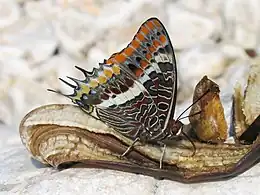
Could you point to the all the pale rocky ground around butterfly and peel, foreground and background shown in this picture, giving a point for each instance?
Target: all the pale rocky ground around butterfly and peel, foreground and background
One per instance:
(43, 40)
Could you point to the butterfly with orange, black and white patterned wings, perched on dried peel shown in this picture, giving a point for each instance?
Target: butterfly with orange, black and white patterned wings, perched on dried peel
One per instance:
(134, 91)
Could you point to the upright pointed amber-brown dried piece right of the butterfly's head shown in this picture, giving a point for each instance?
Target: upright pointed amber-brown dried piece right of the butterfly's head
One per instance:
(210, 124)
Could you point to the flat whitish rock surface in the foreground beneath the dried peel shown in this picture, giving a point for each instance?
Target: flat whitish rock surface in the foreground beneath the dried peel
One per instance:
(21, 175)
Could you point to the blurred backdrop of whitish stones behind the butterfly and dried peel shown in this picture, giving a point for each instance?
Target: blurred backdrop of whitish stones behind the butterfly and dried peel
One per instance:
(43, 40)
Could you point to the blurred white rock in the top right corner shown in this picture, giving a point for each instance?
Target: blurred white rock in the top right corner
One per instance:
(242, 22)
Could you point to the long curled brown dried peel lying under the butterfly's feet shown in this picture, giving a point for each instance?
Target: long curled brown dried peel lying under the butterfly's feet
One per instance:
(61, 134)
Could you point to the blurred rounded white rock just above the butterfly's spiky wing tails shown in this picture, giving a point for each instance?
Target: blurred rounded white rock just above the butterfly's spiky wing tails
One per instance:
(77, 32)
